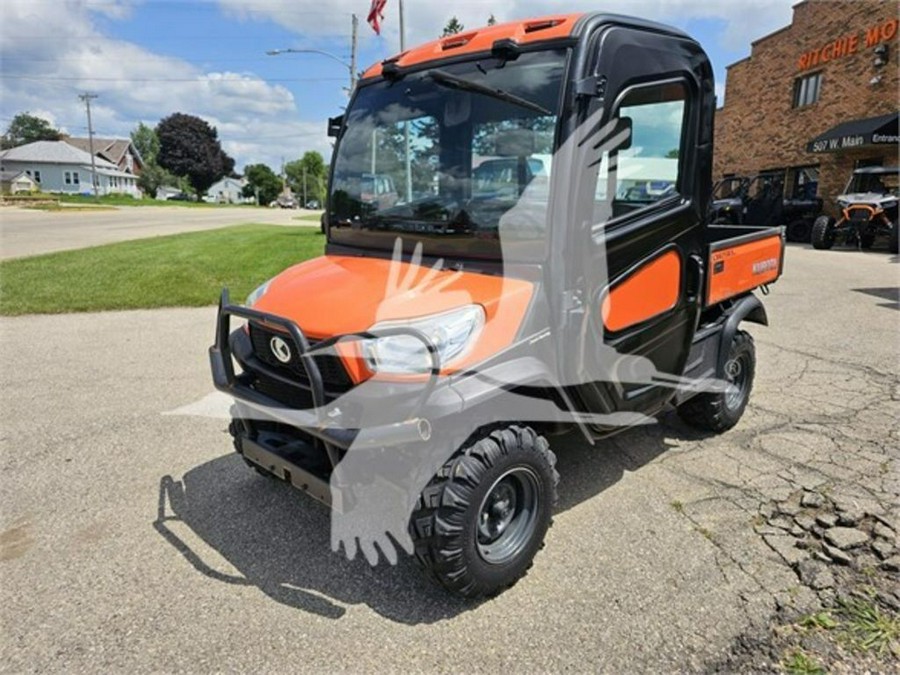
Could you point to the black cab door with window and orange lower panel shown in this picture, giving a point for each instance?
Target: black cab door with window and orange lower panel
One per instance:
(637, 264)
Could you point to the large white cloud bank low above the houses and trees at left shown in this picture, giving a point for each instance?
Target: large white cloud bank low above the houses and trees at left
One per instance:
(257, 121)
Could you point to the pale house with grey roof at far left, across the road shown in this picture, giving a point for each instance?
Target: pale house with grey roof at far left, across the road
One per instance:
(60, 167)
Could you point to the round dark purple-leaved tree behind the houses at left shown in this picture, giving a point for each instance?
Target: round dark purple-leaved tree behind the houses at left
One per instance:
(190, 147)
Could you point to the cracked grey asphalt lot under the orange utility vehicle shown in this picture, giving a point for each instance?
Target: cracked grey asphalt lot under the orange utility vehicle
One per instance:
(131, 540)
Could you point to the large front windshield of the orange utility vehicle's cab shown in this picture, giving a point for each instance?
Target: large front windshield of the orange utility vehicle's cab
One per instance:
(451, 158)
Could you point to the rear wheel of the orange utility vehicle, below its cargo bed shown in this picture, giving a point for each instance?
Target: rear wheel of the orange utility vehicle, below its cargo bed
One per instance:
(719, 411)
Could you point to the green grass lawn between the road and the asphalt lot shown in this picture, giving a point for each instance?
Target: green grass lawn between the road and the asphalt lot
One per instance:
(183, 270)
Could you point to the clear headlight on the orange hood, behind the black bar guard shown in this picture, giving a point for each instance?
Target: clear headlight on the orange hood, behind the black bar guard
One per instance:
(452, 333)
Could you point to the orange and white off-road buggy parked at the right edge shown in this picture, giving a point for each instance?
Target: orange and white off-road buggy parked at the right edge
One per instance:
(868, 210)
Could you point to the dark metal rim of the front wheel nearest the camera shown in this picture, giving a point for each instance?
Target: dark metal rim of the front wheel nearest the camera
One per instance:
(508, 516)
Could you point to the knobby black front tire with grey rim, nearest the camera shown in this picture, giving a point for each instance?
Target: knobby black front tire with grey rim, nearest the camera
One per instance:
(481, 520)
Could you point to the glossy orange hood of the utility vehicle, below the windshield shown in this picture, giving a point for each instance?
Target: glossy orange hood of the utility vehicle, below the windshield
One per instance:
(333, 295)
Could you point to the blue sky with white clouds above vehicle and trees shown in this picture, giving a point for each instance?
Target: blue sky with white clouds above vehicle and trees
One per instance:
(146, 59)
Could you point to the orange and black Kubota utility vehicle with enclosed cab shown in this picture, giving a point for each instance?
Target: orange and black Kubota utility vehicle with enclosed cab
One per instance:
(448, 330)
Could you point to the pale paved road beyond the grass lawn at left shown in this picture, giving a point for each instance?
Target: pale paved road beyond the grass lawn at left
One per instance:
(26, 232)
